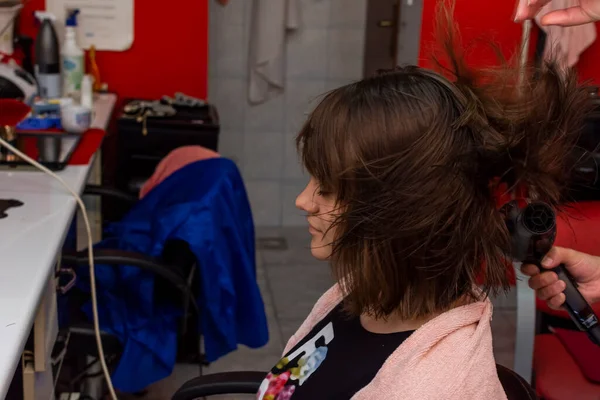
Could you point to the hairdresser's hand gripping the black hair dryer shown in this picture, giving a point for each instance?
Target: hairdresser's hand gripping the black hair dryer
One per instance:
(583, 267)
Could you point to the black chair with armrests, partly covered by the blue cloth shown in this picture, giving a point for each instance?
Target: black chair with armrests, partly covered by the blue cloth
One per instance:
(176, 281)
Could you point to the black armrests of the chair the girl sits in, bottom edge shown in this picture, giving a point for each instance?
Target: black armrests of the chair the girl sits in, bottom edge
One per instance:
(249, 382)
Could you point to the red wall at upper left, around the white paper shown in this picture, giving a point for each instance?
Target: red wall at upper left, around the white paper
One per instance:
(169, 52)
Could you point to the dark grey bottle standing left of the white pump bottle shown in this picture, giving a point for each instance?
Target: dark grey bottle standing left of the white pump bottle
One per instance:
(47, 57)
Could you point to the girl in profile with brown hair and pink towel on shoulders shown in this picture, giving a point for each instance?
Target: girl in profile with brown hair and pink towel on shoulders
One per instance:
(404, 171)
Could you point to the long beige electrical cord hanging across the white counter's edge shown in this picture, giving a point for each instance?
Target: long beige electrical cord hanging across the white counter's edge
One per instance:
(90, 246)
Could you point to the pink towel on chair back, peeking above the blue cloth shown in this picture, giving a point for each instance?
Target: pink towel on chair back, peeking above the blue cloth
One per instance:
(175, 160)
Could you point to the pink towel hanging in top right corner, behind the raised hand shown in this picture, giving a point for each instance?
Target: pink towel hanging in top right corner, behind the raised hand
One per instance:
(566, 44)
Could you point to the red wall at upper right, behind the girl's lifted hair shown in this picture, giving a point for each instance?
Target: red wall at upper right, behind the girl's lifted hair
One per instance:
(494, 20)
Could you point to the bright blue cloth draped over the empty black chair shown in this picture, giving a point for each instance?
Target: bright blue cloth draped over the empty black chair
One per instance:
(204, 204)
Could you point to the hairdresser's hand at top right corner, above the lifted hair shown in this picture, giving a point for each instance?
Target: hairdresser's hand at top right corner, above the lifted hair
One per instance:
(587, 11)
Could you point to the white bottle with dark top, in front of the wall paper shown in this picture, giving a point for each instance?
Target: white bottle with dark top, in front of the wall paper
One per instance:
(72, 58)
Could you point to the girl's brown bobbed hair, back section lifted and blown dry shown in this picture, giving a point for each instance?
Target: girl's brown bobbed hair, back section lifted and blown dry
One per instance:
(414, 160)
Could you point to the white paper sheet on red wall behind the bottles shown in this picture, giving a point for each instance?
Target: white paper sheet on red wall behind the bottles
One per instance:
(106, 24)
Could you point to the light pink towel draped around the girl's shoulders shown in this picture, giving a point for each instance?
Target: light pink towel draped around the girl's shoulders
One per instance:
(448, 358)
